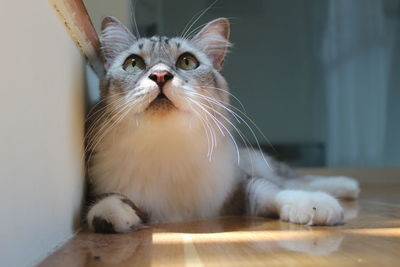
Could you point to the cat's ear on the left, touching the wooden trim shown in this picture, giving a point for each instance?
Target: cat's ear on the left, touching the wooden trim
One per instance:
(115, 38)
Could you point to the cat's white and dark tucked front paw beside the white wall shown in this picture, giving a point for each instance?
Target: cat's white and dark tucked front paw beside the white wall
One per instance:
(114, 213)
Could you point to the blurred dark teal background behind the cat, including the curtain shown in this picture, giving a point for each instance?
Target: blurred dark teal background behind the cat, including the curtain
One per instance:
(319, 78)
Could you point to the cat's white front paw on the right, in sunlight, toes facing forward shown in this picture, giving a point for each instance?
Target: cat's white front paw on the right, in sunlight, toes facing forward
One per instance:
(311, 208)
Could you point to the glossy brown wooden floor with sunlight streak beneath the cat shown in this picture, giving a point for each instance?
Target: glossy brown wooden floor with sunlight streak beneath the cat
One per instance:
(370, 237)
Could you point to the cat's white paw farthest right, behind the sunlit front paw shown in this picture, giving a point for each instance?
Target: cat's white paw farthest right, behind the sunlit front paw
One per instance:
(341, 186)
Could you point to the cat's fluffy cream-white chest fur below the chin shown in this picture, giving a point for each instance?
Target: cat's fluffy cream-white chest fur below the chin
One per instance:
(163, 167)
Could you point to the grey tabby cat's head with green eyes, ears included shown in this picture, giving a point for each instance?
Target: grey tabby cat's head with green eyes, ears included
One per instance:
(161, 75)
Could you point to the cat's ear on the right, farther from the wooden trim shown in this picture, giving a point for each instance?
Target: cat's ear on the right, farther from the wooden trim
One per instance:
(214, 40)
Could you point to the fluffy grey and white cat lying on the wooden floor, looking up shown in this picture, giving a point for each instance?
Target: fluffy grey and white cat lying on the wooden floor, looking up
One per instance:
(161, 145)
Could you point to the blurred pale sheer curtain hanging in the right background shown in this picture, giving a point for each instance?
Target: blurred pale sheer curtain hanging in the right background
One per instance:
(357, 49)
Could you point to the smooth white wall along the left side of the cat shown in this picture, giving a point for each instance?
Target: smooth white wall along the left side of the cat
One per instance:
(41, 134)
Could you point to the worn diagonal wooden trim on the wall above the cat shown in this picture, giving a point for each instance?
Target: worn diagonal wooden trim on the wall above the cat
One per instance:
(80, 27)
